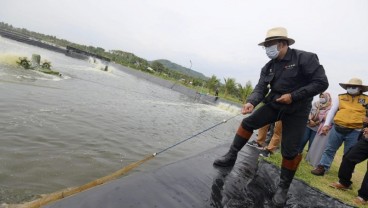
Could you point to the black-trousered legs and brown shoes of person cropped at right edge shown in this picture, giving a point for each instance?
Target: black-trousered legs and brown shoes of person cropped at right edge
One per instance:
(357, 154)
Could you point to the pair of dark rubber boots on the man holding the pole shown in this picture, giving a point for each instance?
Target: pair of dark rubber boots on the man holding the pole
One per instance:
(286, 177)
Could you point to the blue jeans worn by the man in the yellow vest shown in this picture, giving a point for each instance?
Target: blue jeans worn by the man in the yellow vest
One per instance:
(335, 140)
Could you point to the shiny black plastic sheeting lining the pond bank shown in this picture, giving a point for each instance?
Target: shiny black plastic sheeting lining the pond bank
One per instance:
(195, 182)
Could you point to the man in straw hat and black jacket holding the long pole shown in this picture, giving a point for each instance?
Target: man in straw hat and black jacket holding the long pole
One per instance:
(294, 77)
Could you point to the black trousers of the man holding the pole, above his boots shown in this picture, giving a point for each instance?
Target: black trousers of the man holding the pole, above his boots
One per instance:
(294, 120)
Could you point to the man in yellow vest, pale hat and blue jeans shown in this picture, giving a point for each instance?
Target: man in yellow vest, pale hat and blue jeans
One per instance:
(347, 113)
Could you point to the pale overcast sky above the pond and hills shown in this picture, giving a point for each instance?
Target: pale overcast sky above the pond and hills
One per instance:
(219, 37)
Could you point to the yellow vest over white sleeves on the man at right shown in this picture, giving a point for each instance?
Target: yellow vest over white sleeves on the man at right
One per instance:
(351, 111)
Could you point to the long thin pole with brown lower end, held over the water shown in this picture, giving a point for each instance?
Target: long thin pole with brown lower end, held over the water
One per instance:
(48, 198)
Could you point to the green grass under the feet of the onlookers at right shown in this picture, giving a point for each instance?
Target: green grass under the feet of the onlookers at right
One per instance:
(322, 182)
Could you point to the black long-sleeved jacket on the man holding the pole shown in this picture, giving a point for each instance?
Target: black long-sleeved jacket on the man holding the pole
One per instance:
(298, 73)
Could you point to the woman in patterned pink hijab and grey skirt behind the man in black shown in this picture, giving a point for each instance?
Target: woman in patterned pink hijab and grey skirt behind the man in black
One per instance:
(318, 144)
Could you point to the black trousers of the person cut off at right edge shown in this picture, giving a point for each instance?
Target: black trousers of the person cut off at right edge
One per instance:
(357, 154)
